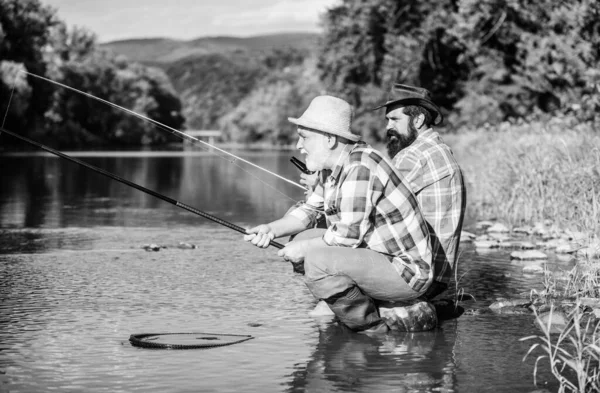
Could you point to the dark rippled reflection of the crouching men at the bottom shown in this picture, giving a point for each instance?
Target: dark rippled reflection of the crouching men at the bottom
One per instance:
(400, 362)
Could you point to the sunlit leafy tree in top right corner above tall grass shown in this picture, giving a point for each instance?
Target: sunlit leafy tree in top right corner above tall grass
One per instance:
(529, 56)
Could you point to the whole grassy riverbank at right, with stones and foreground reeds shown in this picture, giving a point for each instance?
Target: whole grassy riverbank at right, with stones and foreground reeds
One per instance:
(544, 177)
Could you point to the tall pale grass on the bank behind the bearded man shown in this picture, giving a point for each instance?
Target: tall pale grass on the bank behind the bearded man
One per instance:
(531, 172)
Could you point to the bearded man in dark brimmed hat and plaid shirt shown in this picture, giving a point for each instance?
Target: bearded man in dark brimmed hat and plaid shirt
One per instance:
(431, 171)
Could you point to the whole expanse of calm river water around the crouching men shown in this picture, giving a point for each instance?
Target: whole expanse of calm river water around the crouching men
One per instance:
(76, 283)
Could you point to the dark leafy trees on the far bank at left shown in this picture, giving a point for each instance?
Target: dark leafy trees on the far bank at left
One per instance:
(33, 40)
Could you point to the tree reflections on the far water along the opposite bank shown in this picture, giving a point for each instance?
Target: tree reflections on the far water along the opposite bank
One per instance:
(45, 191)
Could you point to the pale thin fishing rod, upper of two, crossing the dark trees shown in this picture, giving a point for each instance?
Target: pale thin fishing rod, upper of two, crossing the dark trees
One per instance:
(165, 127)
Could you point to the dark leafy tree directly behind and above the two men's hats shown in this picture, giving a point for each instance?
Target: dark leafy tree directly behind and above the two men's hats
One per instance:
(370, 44)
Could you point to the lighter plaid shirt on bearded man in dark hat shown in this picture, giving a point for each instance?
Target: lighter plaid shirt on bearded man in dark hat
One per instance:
(430, 168)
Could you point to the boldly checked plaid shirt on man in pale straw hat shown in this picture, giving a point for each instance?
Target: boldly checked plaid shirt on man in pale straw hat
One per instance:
(367, 205)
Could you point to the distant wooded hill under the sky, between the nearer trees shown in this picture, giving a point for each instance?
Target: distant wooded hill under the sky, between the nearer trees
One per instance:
(213, 75)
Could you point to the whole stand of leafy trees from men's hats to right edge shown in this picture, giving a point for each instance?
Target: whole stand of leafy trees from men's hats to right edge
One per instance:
(485, 61)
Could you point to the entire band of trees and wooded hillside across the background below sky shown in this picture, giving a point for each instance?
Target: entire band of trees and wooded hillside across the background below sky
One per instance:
(485, 61)
